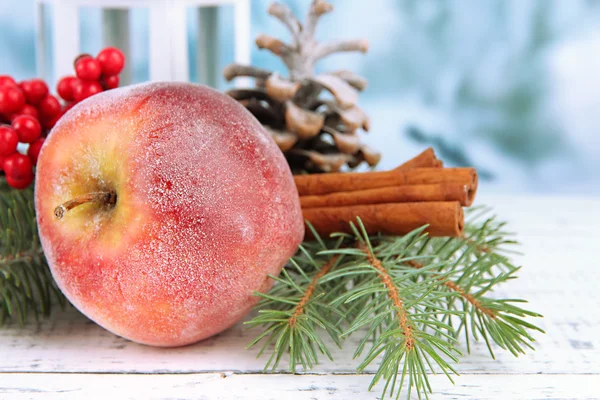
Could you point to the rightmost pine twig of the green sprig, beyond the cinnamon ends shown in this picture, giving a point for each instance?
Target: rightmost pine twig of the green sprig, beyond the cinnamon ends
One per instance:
(476, 267)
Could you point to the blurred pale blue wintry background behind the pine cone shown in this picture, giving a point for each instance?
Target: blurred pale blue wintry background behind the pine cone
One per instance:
(509, 86)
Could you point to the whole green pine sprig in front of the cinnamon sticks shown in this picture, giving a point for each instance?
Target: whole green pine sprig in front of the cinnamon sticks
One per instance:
(410, 299)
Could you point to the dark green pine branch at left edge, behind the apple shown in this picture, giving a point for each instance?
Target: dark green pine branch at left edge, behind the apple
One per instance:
(26, 285)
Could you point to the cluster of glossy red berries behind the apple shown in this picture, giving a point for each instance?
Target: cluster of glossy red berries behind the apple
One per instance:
(28, 111)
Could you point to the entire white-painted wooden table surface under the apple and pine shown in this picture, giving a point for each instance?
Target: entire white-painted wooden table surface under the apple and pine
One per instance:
(69, 357)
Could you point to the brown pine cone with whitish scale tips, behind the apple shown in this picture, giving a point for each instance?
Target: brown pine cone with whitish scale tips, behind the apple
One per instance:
(314, 119)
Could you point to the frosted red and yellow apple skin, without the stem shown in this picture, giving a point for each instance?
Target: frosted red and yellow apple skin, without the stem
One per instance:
(206, 209)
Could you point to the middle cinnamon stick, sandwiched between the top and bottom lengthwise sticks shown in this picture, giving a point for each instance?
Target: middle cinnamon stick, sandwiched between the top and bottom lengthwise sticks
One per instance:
(392, 194)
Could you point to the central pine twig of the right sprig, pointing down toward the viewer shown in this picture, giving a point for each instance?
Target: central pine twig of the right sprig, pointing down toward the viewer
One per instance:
(394, 315)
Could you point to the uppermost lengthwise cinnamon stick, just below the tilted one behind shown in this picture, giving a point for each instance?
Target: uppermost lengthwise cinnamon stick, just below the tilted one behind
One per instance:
(316, 184)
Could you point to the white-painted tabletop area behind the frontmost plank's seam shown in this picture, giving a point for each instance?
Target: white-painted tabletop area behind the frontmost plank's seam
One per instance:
(559, 278)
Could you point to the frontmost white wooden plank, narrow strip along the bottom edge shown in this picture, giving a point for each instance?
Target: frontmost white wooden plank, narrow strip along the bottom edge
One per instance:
(265, 387)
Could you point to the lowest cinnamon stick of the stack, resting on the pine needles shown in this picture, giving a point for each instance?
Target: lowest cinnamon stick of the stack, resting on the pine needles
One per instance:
(445, 218)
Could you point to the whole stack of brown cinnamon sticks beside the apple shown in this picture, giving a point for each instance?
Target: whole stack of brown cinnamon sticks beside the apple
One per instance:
(419, 192)
